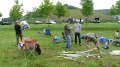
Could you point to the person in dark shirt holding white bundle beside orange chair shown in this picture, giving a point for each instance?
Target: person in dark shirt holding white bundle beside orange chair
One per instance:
(18, 31)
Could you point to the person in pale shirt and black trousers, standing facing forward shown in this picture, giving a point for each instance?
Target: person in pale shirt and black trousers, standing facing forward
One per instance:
(77, 29)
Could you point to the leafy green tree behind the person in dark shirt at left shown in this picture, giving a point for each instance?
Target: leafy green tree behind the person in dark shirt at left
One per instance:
(16, 11)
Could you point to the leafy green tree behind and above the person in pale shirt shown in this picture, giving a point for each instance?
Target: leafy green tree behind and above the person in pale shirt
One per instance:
(87, 8)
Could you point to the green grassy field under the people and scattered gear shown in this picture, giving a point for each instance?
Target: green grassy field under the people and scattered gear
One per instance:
(10, 56)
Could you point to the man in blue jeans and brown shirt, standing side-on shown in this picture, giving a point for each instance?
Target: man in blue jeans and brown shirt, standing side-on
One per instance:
(67, 31)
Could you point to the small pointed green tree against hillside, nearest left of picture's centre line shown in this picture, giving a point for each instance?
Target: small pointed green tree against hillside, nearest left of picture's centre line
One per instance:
(60, 11)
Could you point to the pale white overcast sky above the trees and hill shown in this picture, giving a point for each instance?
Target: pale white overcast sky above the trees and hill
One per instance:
(28, 5)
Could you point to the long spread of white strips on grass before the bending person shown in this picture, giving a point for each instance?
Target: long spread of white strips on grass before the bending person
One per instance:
(74, 55)
